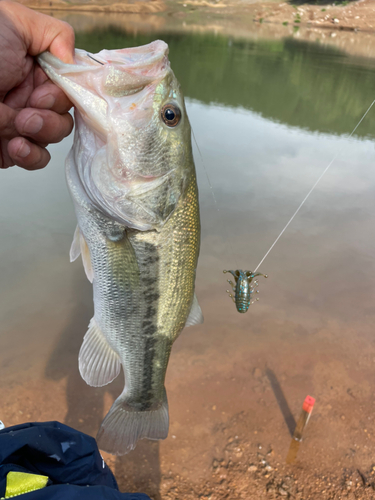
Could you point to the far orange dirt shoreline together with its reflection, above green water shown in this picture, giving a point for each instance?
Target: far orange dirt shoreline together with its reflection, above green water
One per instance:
(349, 27)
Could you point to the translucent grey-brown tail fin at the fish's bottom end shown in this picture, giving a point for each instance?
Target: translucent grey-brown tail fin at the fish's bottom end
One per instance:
(124, 425)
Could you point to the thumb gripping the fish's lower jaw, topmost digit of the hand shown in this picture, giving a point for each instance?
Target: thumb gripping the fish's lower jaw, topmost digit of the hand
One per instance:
(41, 32)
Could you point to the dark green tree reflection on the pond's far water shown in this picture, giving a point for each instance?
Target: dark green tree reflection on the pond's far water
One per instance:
(299, 84)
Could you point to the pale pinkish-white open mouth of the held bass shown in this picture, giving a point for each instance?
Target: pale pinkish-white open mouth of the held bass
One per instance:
(95, 79)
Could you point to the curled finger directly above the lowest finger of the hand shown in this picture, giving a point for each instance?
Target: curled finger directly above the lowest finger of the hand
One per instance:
(43, 126)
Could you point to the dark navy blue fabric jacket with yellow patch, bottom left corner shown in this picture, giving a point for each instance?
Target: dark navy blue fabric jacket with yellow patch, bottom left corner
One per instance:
(69, 458)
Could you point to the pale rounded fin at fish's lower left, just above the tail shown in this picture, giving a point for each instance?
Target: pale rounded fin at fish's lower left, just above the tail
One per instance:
(98, 363)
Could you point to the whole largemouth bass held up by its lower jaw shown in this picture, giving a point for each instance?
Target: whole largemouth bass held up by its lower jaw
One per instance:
(132, 178)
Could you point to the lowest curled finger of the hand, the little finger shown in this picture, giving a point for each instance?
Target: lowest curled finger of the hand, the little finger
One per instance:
(27, 155)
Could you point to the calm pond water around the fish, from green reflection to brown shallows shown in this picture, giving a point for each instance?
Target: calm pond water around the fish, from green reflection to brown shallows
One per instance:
(268, 117)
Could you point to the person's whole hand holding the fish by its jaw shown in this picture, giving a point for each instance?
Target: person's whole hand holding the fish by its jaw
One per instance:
(33, 111)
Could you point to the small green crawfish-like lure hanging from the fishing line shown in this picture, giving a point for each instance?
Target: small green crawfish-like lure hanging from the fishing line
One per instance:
(243, 288)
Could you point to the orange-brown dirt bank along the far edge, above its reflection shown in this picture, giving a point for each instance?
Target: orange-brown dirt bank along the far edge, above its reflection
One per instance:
(357, 15)
